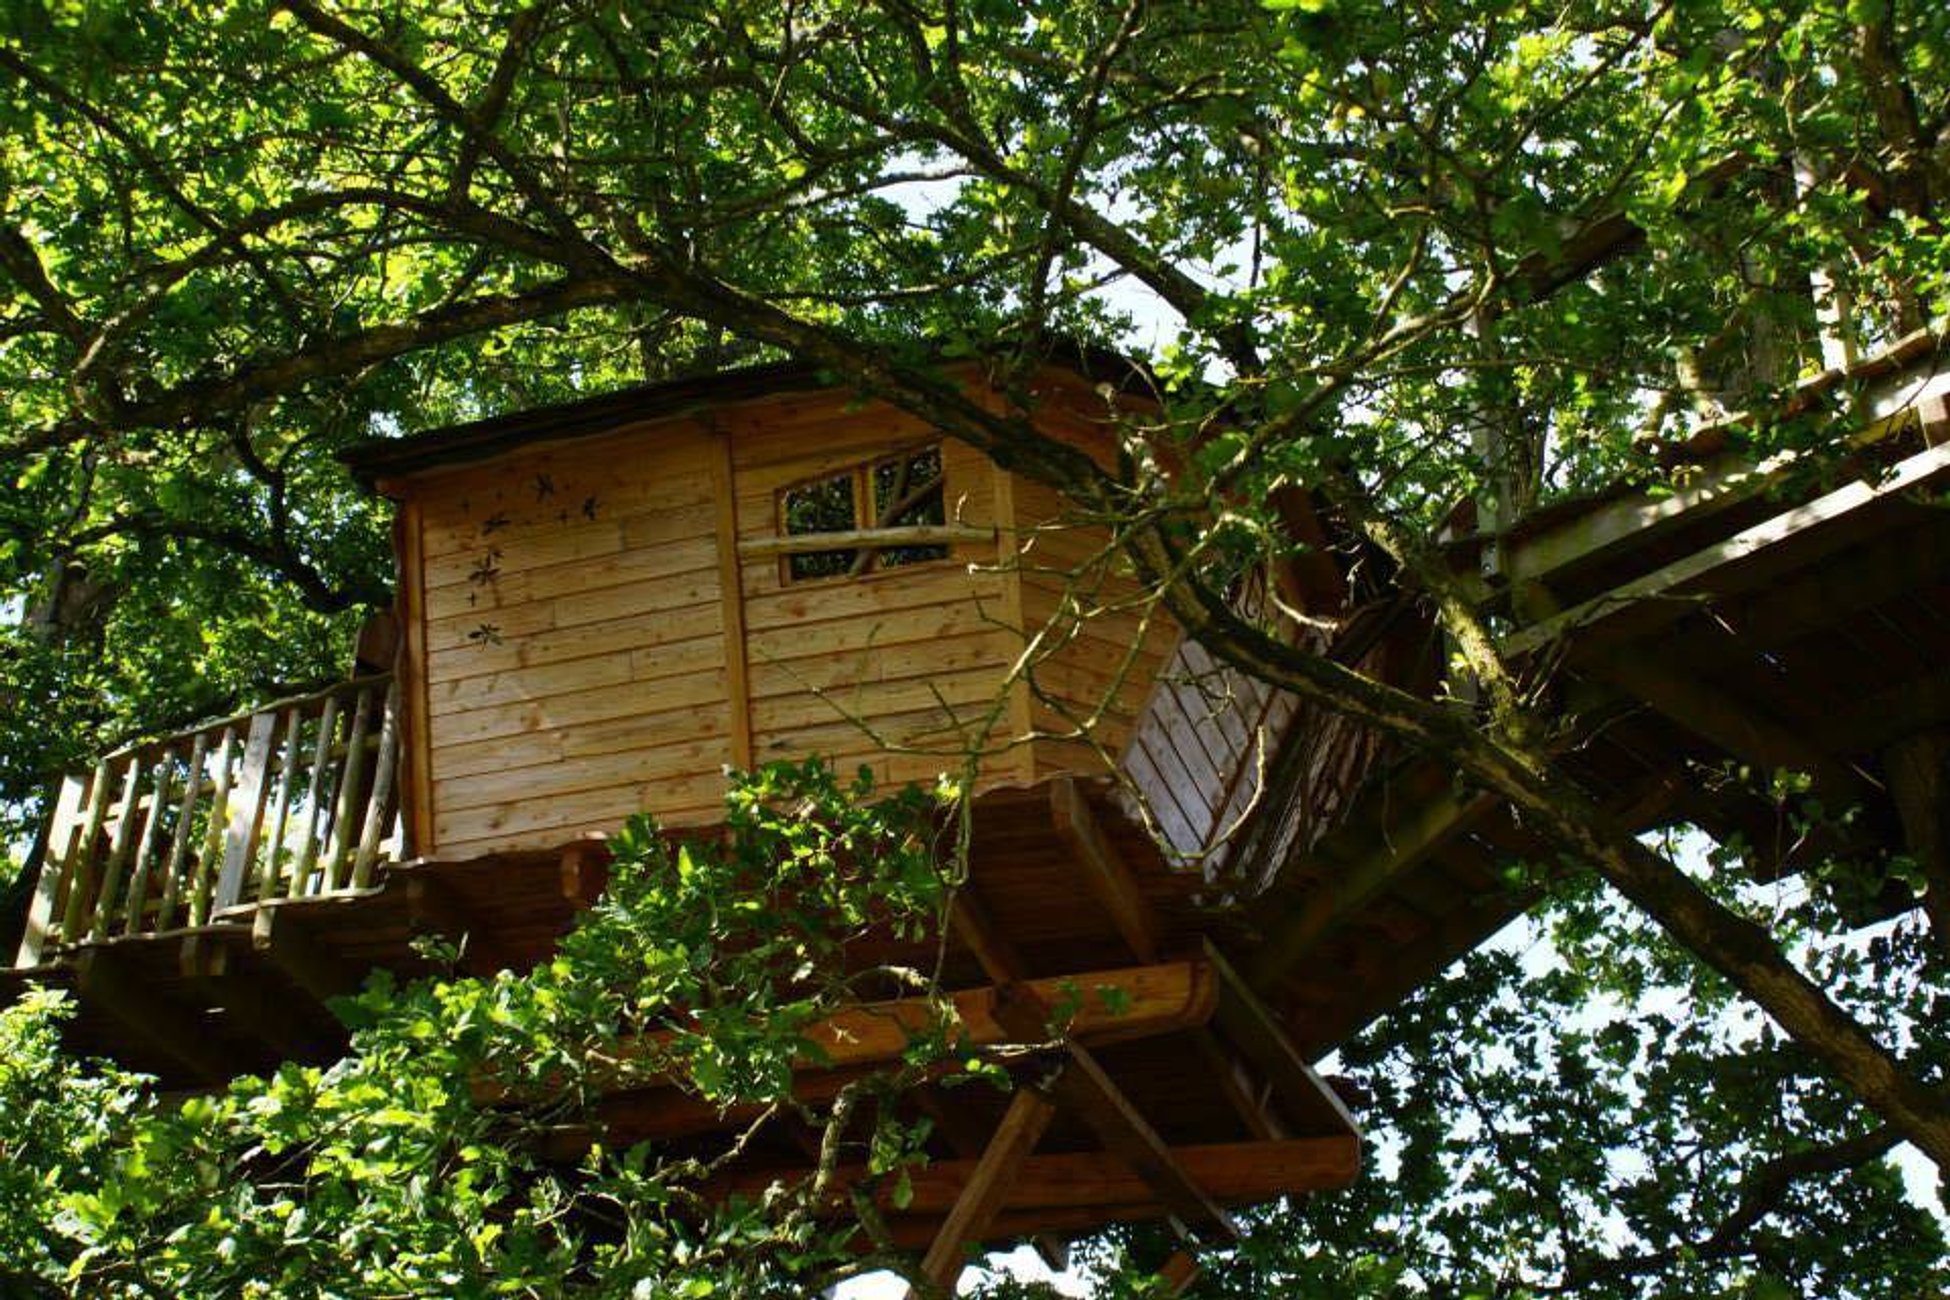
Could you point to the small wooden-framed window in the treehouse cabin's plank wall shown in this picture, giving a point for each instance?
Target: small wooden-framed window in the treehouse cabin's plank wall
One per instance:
(902, 492)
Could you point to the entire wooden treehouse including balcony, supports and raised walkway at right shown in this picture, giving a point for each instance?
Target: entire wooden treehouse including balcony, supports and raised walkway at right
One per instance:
(602, 605)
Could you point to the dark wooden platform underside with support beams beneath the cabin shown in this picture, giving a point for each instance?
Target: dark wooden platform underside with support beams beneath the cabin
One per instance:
(1179, 1098)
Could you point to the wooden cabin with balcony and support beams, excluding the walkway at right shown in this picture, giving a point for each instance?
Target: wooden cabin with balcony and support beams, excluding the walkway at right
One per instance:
(605, 605)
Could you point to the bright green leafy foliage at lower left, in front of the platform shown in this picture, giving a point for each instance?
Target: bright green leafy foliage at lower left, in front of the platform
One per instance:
(420, 1165)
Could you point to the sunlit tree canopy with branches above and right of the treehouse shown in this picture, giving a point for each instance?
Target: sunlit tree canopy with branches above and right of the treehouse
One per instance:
(1409, 260)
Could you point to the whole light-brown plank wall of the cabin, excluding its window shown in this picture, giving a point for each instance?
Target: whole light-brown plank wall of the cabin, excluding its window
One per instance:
(592, 650)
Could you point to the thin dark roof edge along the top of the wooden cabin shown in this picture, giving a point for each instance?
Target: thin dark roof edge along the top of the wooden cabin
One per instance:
(393, 457)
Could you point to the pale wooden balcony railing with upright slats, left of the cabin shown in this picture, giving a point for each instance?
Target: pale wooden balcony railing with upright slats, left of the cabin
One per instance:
(295, 800)
